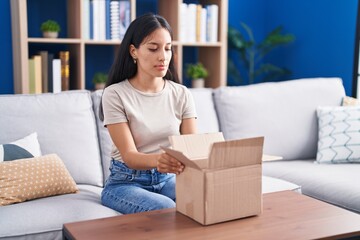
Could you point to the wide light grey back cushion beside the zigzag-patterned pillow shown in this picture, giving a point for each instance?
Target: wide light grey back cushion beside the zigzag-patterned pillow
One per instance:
(283, 112)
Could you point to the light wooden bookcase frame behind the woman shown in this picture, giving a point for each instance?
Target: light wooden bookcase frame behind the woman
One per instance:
(82, 50)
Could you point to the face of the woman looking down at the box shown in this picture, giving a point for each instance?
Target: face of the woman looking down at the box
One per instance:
(154, 54)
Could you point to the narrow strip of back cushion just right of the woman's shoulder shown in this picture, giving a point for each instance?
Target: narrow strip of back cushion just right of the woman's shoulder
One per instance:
(207, 121)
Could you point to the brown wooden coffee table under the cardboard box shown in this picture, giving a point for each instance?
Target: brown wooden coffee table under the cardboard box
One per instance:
(286, 215)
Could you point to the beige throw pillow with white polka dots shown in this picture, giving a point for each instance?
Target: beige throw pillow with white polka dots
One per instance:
(31, 178)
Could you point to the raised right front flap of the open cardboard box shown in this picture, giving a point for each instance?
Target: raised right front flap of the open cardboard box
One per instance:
(236, 153)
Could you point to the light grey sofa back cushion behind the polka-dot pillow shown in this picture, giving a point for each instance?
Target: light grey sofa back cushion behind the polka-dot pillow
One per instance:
(65, 125)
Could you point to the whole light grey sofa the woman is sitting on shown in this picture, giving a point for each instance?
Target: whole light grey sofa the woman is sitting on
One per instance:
(67, 124)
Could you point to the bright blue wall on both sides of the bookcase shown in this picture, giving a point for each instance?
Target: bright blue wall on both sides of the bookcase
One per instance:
(324, 31)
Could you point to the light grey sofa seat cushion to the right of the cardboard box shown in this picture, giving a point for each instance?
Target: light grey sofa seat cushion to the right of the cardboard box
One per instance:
(337, 184)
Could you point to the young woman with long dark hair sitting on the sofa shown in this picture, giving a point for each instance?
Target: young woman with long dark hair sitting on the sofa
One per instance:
(142, 105)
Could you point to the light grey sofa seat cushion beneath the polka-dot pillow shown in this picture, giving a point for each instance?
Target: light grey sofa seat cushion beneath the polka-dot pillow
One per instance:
(44, 218)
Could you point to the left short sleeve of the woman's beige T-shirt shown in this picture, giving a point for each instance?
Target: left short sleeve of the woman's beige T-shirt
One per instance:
(113, 107)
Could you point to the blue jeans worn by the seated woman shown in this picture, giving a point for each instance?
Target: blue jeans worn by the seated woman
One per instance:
(130, 191)
